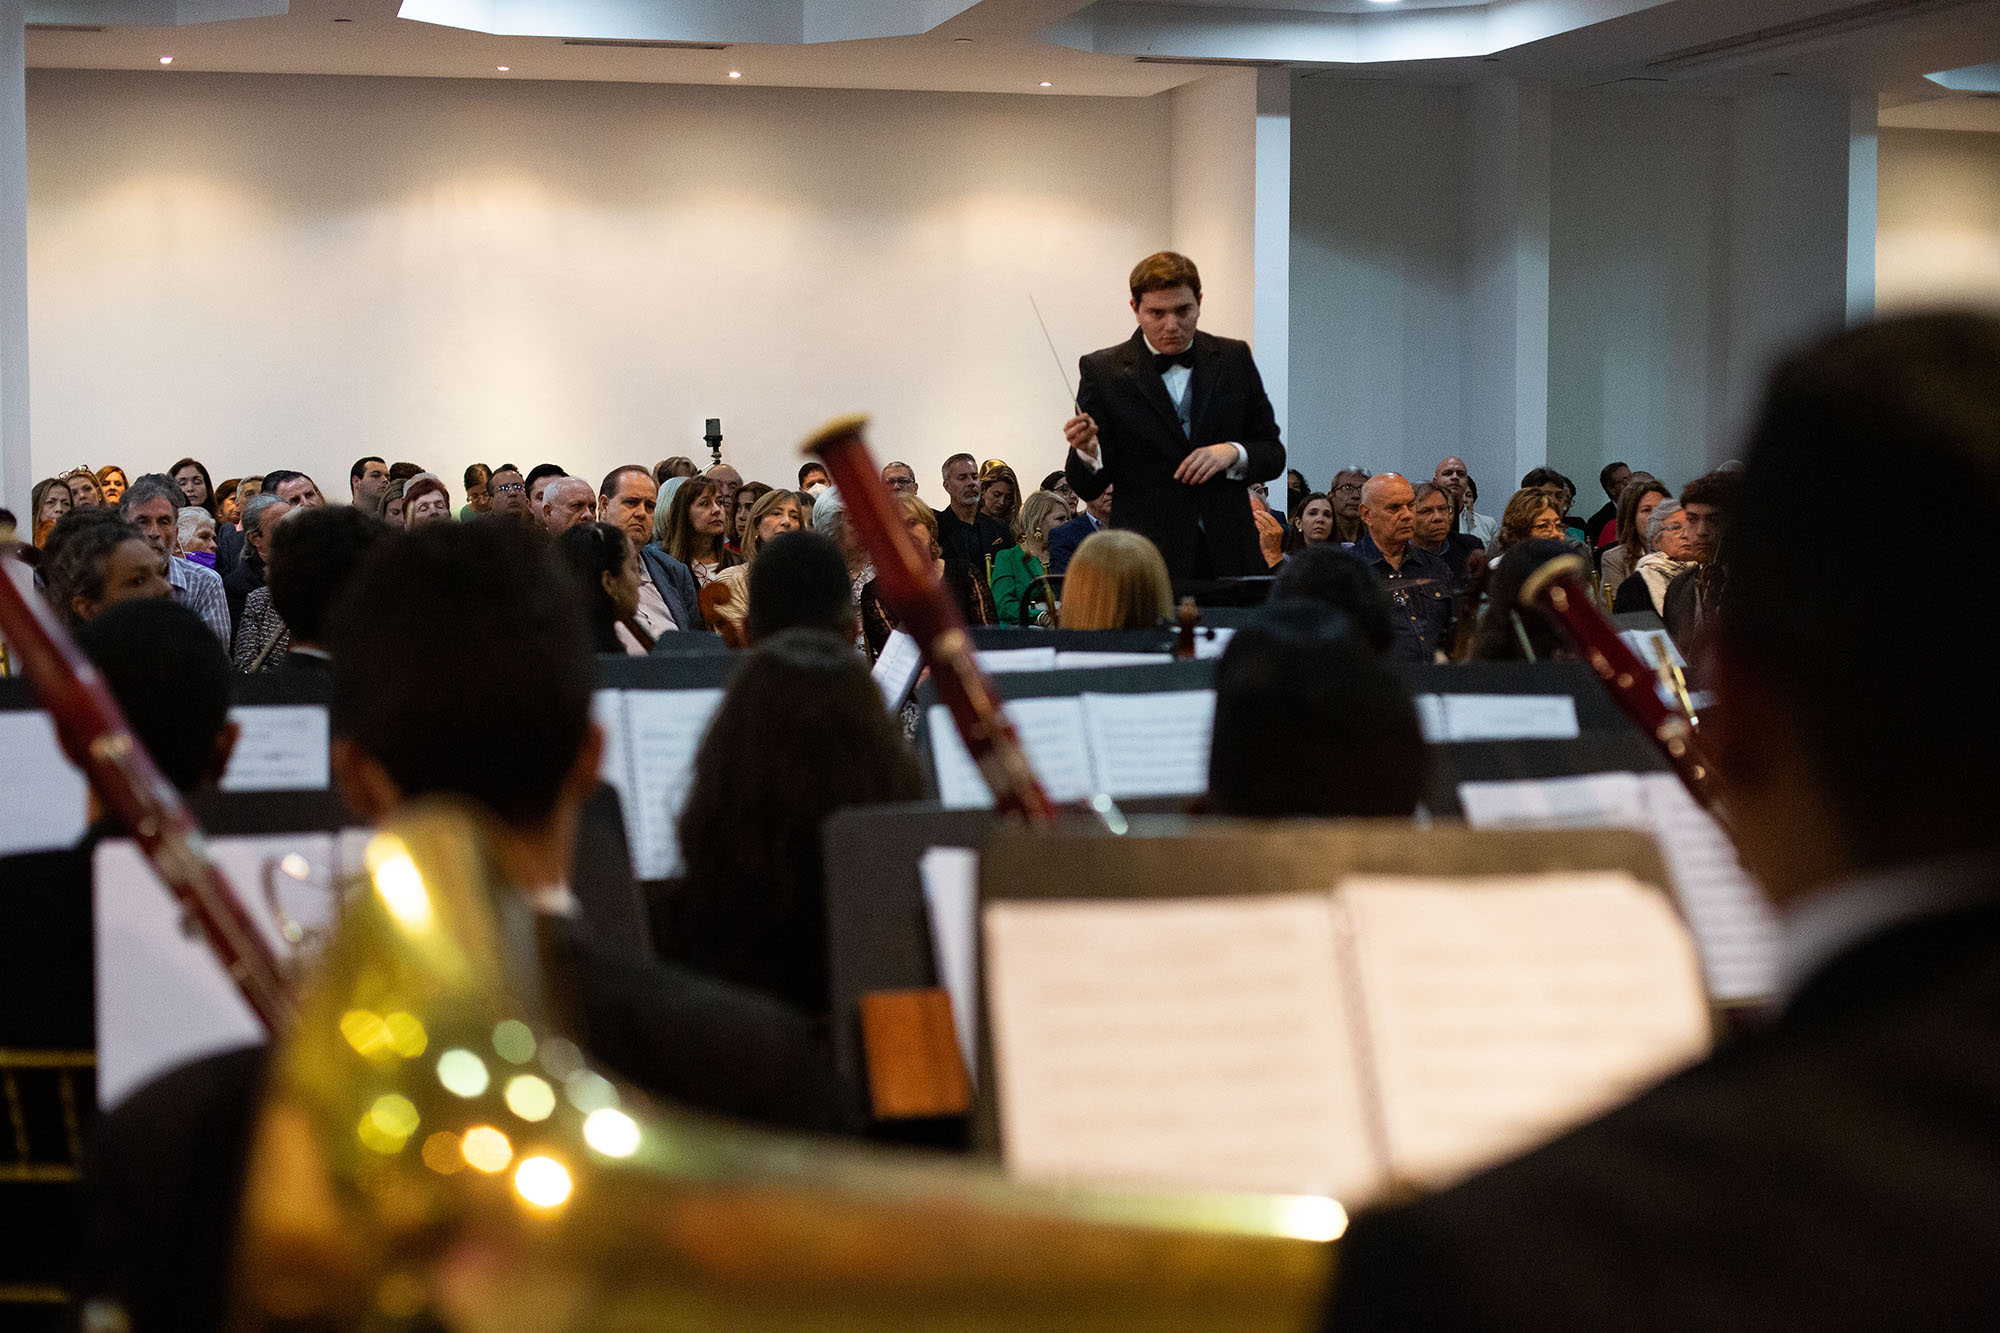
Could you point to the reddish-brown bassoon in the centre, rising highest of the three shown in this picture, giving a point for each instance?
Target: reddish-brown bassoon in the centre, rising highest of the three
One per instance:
(927, 613)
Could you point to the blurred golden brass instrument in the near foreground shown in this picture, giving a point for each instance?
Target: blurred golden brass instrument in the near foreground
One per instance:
(435, 1154)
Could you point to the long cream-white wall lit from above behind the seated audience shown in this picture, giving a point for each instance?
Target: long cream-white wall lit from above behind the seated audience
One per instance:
(293, 271)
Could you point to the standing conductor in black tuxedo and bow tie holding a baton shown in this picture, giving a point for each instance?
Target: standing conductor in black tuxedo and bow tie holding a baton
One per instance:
(1179, 421)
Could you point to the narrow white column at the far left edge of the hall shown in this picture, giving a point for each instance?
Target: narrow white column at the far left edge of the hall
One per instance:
(17, 471)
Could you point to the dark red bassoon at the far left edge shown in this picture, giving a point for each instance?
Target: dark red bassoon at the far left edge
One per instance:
(99, 740)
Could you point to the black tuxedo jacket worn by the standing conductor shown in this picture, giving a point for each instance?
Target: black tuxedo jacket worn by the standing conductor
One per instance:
(1203, 531)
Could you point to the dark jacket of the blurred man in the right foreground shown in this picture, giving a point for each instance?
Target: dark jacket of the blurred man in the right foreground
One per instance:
(1839, 1170)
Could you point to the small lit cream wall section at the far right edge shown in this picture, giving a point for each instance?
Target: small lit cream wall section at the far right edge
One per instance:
(1939, 219)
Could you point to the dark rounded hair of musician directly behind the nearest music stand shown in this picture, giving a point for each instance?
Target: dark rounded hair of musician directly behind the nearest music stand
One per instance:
(1311, 722)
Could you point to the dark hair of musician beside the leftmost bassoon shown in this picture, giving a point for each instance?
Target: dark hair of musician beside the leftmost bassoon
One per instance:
(171, 680)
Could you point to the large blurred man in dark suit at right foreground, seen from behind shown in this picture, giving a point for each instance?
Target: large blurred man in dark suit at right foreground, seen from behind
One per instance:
(1839, 1168)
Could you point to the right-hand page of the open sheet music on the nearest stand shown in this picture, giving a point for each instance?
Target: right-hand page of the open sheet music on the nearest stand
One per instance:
(1505, 1010)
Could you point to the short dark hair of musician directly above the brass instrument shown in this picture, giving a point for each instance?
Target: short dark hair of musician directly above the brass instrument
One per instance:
(439, 625)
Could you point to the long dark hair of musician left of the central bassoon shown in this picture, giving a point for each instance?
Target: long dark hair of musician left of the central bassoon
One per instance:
(801, 734)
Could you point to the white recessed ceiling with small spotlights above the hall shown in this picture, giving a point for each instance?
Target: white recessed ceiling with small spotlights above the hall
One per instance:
(1045, 47)
